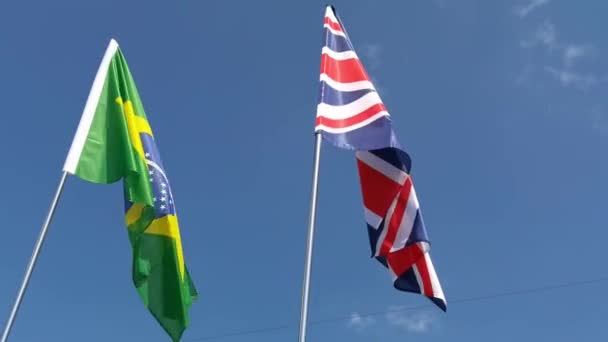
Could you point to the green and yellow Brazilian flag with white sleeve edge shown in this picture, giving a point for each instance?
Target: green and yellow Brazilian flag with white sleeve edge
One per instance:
(114, 142)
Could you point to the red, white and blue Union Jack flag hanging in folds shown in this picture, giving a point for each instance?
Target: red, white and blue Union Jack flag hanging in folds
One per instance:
(351, 115)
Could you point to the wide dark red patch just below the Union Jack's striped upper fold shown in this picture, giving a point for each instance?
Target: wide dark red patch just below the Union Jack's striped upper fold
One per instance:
(377, 189)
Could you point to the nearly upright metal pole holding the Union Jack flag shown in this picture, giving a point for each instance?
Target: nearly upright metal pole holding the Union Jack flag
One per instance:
(310, 241)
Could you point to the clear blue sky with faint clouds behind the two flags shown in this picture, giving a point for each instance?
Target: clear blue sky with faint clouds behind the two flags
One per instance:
(500, 104)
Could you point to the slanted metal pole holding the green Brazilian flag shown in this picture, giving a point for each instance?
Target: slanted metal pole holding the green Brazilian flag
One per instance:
(33, 259)
